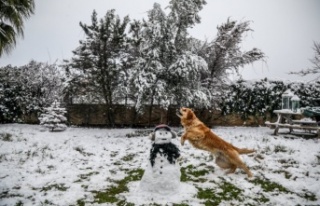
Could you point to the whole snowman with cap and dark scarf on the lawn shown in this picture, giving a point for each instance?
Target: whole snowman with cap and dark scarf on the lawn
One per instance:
(162, 174)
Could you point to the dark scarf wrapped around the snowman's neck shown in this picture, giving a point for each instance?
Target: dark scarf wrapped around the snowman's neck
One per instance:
(169, 150)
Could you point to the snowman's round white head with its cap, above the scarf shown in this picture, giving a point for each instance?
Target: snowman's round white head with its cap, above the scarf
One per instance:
(162, 134)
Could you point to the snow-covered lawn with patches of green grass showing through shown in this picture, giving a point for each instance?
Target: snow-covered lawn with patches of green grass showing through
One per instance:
(85, 166)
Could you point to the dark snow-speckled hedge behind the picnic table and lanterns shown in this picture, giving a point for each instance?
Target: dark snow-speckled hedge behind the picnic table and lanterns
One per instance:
(260, 98)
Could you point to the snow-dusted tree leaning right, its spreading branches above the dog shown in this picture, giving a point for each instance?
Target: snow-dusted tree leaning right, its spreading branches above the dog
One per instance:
(224, 55)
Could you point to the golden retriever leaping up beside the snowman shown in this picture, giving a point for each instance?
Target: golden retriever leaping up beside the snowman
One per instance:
(201, 137)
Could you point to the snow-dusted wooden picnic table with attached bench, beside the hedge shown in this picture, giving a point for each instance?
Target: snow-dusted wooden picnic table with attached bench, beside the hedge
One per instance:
(285, 120)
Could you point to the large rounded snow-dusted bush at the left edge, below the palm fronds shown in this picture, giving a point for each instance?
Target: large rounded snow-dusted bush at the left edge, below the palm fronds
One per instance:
(27, 89)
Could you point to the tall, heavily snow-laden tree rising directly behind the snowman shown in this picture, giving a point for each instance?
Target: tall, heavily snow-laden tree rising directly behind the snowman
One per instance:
(162, 51)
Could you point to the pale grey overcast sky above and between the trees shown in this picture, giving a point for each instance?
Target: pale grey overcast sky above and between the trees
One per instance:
(283, 29)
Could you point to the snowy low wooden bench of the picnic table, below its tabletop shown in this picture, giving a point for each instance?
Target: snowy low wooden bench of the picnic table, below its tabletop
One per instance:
(312, 125)
